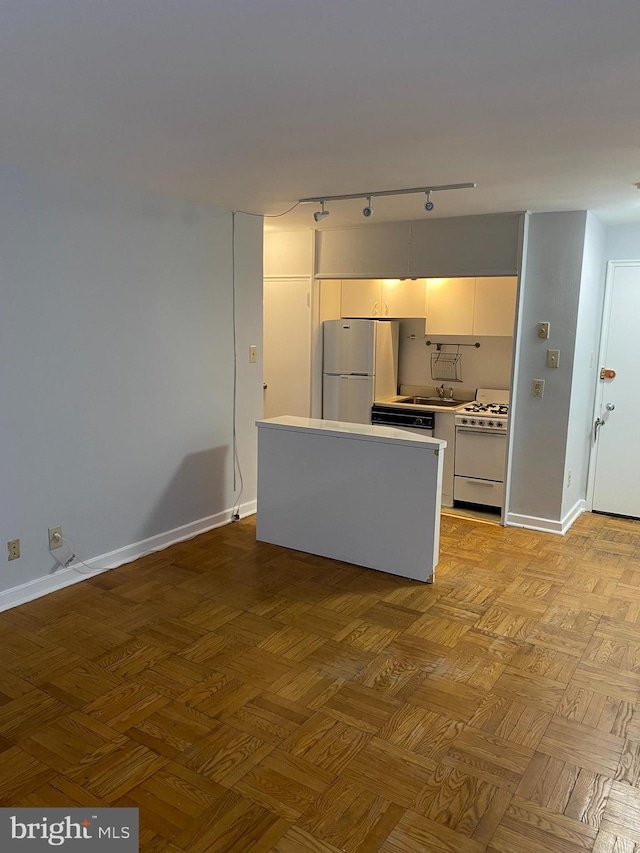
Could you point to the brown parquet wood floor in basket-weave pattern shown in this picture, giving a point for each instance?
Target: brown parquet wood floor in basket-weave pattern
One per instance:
(249, 698)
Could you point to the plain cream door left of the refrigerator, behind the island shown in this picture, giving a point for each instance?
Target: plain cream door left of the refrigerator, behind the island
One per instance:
(287, 347)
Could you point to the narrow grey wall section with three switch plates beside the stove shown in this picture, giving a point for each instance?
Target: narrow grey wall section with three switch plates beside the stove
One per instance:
(550, 288)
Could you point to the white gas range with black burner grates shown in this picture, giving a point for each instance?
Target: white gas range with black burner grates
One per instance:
(481, 445)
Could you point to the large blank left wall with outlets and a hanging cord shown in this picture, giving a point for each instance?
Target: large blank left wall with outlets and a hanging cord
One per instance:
(116, 371)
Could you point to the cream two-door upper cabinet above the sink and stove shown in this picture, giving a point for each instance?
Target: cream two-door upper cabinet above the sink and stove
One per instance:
(471, 306)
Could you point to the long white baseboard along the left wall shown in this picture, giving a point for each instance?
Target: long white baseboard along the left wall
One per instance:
(66, 577)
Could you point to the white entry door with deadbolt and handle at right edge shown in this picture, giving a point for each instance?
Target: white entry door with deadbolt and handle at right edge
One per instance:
(617, 466)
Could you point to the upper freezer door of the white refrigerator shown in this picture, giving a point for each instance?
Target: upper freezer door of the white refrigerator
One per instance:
(349, 346)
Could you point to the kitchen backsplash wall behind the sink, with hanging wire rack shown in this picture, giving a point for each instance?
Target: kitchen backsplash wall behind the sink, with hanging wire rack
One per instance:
(486, 367)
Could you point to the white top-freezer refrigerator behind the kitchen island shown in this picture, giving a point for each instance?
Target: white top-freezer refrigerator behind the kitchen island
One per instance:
(360, 365)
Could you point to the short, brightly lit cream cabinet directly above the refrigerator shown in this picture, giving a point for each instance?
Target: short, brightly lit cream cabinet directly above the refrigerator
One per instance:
(383, 298)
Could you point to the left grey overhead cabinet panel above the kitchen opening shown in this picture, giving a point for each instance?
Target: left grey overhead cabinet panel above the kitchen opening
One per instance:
(380, 251)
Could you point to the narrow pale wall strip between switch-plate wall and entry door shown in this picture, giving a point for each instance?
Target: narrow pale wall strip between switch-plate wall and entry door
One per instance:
(585, 366)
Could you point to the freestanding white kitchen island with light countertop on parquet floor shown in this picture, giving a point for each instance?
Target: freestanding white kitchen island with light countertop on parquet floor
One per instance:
(363, 494)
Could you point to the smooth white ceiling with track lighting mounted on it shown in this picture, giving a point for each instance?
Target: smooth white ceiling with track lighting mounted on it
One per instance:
(252, 104)
